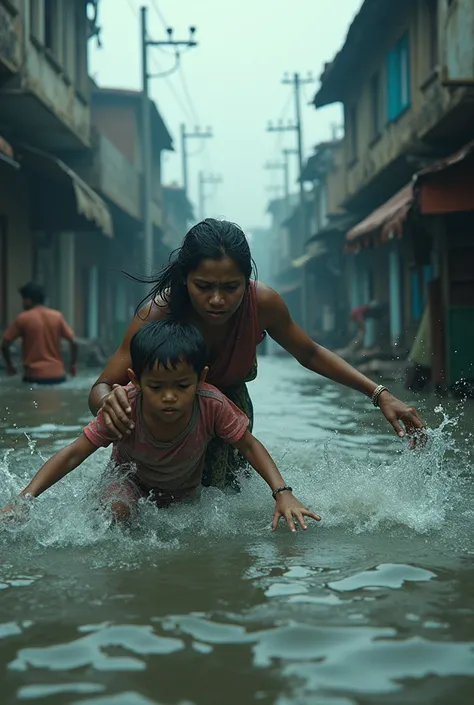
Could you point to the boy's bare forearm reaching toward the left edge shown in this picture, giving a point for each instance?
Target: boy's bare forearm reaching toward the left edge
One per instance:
(59, 465)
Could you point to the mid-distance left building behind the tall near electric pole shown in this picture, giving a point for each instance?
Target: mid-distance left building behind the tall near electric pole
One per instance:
(106, 296)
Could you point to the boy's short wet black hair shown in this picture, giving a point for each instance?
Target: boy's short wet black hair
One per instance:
(167, 343)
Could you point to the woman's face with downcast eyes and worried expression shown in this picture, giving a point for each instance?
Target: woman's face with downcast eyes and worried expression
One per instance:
(216, 289)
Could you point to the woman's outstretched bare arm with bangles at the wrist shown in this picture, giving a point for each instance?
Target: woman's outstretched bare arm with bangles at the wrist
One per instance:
(276, 319)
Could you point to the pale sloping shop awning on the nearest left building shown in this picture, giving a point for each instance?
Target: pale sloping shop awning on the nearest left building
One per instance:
(86, 202)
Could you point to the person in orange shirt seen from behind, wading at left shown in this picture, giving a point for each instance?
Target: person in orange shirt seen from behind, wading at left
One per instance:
(41, 330)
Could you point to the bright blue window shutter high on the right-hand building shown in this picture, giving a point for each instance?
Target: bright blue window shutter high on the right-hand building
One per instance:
(398, 79)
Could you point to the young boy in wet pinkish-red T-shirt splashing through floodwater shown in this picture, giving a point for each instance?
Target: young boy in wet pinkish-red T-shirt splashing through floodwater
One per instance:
(175, 415)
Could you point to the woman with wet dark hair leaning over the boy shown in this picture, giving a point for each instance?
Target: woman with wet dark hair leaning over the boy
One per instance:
(208, 283)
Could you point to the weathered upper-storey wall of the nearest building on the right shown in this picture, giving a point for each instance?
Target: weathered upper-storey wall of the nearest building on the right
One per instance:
(430, 100)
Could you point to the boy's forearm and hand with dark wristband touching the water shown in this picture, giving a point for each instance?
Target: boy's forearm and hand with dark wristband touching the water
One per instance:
(287, 506)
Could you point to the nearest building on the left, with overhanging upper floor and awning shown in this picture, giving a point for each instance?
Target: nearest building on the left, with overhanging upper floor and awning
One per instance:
(45, 117)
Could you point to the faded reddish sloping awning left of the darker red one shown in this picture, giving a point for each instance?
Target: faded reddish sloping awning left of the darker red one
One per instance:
(386, 221)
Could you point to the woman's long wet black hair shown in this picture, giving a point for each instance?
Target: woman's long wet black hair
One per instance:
(209, 239)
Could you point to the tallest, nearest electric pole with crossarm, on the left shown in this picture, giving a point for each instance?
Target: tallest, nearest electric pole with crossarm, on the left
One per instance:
(146, 136)
